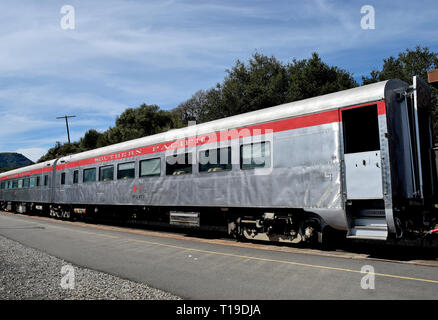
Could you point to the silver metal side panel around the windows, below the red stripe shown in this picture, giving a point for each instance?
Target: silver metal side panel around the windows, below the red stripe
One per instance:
(305, 173)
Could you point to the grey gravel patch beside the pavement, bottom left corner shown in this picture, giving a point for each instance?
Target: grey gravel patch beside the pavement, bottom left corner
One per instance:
(30, 274)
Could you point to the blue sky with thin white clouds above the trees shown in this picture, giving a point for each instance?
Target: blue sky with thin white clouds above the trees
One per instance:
(125, 53)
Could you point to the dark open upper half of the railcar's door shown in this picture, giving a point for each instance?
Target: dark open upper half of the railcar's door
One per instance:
(360, 129)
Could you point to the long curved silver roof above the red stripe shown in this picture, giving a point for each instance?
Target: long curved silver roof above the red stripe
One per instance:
(359, 95)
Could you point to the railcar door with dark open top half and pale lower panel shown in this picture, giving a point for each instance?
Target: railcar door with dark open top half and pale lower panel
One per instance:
(363, 172)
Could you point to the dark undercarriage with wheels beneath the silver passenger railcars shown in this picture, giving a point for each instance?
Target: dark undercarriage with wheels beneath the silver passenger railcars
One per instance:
(290, 227)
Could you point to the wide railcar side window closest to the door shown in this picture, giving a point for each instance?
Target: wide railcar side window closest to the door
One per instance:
(255, 155)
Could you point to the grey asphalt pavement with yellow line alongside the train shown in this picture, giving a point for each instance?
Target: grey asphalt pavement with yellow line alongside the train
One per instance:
(193, 268)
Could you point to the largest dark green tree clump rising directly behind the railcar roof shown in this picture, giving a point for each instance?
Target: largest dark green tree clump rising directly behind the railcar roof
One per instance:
(264, 82)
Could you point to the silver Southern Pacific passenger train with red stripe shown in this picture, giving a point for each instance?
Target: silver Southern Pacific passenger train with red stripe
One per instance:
(358, 160)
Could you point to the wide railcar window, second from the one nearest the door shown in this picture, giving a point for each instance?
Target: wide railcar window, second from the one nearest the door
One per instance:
(215, 160)
